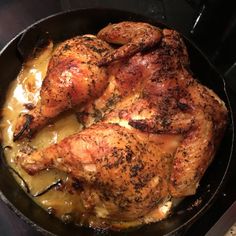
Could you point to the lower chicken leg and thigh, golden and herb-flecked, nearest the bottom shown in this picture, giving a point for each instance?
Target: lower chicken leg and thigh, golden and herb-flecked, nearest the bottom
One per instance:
(124, 171)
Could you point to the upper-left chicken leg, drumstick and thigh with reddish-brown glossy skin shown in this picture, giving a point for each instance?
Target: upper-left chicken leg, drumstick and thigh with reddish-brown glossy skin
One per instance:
(73, 79)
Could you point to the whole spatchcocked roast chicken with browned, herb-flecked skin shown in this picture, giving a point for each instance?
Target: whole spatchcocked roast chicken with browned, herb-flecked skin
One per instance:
(150, 129)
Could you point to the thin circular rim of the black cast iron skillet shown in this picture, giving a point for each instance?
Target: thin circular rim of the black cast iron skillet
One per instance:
(210, 200)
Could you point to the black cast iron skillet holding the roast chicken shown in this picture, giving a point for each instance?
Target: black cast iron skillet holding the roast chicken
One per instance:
(65, 25)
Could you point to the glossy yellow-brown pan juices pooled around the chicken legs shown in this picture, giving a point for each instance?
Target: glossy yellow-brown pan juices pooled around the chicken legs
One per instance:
(60, 201)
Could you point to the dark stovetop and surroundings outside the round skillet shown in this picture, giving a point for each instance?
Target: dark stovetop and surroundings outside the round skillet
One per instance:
(211, 24)
